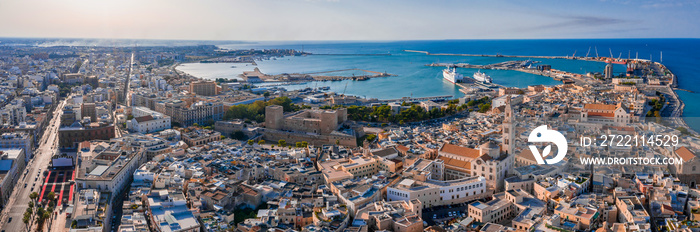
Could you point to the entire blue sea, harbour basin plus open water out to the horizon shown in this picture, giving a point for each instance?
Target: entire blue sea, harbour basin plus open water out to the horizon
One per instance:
(415, 79)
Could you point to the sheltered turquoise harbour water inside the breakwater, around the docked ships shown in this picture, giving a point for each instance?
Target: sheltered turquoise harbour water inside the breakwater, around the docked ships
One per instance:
(413, 77)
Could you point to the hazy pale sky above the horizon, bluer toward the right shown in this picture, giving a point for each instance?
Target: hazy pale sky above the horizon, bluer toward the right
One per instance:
(258, 20)
